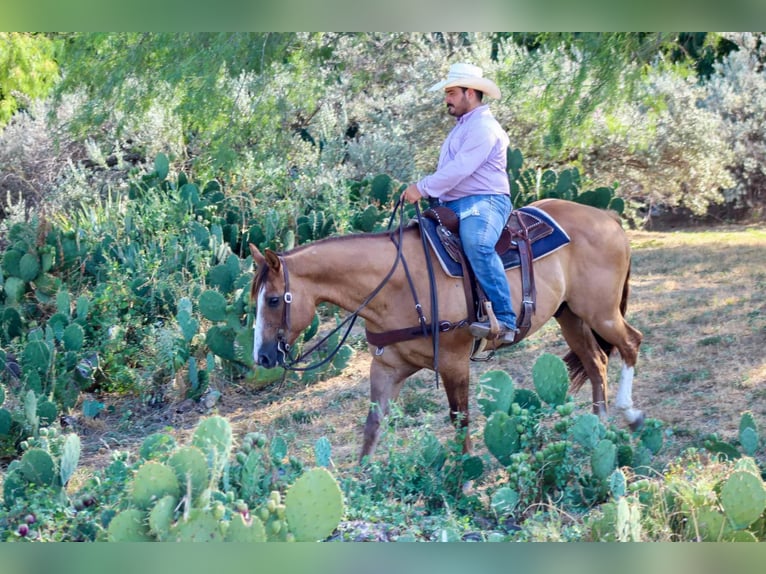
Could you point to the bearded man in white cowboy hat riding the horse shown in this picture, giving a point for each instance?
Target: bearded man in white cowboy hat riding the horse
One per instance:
(471, 179)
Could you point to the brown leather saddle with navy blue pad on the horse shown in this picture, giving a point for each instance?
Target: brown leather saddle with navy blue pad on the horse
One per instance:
(520, 243)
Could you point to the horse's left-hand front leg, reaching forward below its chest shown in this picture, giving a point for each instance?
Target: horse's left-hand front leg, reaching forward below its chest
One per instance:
(386, 380)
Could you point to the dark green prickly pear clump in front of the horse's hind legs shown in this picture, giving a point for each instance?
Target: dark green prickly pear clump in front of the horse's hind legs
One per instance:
(550, 451)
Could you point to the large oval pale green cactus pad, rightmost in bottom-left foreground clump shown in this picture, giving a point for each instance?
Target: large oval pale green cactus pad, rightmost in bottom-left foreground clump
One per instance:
(314, 506)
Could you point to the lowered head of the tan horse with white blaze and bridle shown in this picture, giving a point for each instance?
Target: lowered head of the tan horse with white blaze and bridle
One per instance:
(283, 308)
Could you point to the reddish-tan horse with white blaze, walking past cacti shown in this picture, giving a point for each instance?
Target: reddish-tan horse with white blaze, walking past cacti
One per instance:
(583, 285)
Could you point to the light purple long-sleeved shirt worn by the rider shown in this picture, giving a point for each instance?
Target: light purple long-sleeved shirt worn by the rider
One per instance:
(472, 159)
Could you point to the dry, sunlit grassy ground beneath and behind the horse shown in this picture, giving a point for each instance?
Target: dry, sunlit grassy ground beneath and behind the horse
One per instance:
(698, 297)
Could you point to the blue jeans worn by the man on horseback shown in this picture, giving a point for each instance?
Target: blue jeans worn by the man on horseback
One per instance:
(482, 218)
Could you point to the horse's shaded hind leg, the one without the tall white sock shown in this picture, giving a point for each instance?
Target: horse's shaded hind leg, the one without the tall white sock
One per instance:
(587, 360)
